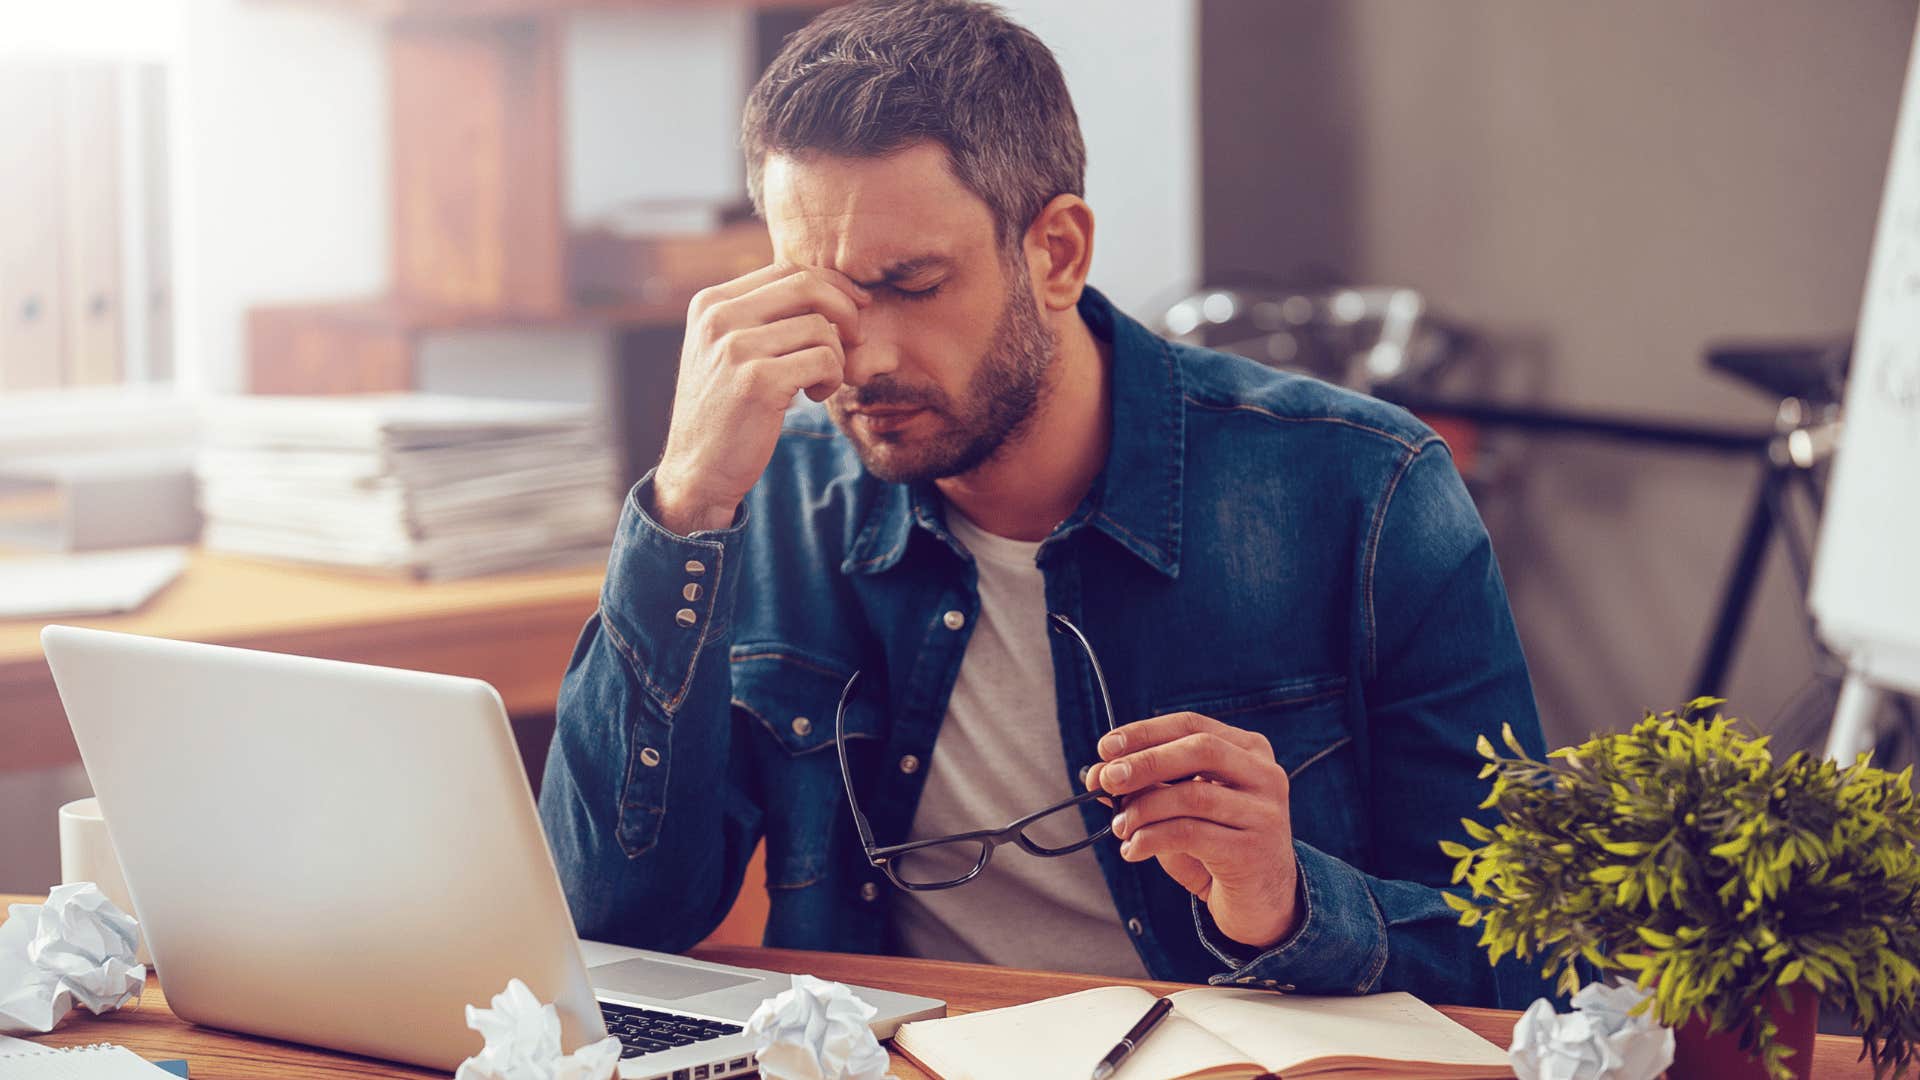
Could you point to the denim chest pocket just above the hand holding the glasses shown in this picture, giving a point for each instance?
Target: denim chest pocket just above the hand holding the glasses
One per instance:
(1305, 720)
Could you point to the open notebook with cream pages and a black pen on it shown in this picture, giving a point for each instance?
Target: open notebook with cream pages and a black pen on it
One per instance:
(1212, 1035)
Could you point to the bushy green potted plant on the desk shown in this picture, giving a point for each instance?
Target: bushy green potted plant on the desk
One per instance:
(1739, 889)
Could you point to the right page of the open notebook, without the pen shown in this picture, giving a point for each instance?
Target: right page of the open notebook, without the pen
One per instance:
(1285, 1031)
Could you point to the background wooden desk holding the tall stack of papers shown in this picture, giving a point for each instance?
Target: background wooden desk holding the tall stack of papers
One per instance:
(514, 631)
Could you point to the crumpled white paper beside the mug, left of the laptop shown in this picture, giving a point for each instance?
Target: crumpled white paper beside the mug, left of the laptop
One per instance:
(74, 950)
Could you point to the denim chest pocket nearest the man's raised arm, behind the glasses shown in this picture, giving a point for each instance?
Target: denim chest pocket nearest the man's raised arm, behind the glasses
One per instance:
(788, 704)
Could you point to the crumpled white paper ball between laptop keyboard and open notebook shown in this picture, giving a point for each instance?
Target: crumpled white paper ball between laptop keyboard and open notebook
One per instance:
(817, 1031)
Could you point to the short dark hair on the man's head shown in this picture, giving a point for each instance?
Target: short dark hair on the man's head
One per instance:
(869, 80)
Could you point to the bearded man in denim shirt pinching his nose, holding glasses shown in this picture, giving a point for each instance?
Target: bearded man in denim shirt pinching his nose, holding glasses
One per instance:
(1287, 589)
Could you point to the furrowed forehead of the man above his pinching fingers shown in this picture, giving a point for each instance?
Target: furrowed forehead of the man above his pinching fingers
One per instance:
(865, 214)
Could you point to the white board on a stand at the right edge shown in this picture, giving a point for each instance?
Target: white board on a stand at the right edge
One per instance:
(1865, 591)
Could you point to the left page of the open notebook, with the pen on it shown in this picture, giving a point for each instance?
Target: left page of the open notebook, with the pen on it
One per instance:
(1067, 1037)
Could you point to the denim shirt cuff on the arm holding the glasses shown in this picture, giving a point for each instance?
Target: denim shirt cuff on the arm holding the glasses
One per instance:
(1337, 948)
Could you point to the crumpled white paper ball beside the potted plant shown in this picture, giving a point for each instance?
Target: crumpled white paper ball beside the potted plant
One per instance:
(1598, 1041)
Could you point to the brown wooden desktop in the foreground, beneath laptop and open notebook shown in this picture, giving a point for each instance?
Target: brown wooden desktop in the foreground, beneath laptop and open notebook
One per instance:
(156, 1033)
